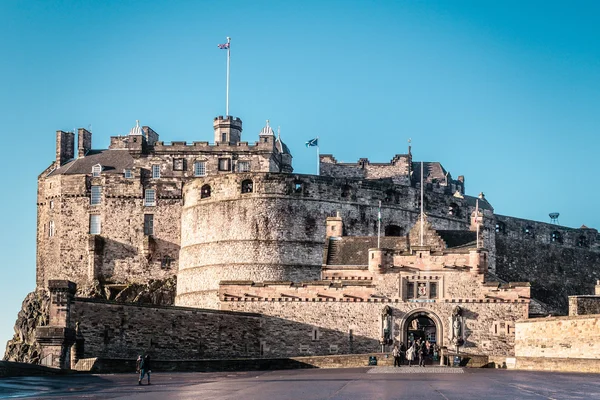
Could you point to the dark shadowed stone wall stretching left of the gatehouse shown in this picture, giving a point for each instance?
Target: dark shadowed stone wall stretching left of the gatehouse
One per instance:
(119, 330)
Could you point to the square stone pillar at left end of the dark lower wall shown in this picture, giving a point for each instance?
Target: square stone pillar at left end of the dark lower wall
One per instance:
(57, 338)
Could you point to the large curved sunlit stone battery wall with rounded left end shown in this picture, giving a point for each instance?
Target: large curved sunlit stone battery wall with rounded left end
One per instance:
(276, 231)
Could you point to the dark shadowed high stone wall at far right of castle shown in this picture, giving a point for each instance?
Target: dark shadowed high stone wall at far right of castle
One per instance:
(558, 261)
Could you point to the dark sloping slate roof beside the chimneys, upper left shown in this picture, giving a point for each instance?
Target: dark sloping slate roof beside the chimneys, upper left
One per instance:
(112, 161)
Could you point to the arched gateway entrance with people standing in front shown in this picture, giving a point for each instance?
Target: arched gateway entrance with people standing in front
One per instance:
(421, 323)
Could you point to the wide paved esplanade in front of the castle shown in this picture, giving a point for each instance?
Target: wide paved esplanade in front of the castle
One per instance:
(346, 384)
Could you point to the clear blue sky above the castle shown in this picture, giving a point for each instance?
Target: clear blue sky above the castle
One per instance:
(506, 93)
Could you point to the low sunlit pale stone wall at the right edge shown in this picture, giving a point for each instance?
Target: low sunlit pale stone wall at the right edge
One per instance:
(574, 337)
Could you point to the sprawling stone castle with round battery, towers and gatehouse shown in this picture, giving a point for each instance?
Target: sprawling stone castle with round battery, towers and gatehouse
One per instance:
(292, 263)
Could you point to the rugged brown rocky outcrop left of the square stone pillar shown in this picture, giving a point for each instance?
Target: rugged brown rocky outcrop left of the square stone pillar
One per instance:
(34, 312)
